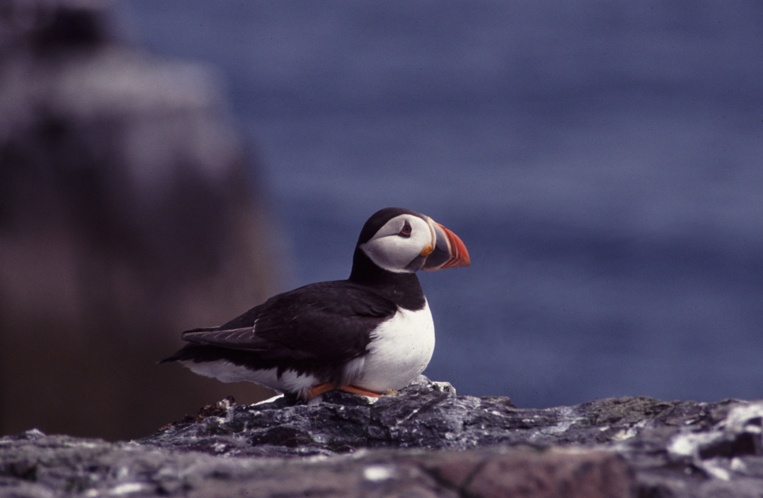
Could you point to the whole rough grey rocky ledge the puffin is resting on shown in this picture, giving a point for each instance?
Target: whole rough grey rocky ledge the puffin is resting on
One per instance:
(424, 441)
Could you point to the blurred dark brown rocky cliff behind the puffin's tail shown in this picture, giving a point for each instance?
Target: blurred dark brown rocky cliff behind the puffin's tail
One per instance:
(128, 212)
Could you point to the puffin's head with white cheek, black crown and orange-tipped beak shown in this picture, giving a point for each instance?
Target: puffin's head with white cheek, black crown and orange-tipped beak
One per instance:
(404, 241)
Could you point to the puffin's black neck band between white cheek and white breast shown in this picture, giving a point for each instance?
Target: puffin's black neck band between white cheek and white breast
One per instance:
(403, 289)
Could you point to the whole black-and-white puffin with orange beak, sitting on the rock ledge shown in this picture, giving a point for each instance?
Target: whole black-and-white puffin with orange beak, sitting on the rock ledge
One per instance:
(371, 334)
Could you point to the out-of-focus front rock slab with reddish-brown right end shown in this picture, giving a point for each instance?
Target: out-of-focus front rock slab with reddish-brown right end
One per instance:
(38, 465)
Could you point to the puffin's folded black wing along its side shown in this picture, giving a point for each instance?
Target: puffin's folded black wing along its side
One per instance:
(325, 322)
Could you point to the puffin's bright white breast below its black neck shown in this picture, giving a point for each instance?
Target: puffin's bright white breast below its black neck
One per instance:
(400, 350)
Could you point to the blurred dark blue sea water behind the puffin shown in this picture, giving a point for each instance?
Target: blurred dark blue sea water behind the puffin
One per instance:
(603, 162)
